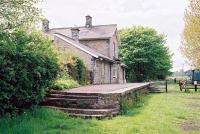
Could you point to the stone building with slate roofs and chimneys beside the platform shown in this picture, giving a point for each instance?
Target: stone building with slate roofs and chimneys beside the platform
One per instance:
(96, 45)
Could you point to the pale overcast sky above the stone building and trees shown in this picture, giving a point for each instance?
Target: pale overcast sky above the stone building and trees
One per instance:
(166, 16)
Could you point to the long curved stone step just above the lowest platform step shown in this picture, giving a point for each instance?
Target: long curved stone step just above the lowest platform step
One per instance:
(88, 111)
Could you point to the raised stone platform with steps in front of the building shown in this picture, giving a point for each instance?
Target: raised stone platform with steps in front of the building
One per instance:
(98, 101)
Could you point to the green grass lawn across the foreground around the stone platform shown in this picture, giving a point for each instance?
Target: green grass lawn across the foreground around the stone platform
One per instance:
(171, 113)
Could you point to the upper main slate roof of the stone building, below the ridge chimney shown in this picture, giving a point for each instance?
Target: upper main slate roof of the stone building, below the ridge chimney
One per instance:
(96, 32)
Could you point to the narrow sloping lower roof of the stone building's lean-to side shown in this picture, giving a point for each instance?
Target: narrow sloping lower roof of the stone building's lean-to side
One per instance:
(82, 47)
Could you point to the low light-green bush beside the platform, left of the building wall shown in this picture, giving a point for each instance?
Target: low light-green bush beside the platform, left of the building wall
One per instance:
(62, 84)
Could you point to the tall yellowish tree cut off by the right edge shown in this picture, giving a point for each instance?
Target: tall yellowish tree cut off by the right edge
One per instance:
(191, 35)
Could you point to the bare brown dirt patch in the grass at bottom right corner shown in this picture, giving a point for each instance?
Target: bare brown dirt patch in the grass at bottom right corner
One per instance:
(191, 125)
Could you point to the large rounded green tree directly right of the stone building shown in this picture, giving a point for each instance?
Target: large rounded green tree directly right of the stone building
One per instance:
(144, 53)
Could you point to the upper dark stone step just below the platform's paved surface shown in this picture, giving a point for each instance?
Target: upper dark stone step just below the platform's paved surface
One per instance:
(71, 96)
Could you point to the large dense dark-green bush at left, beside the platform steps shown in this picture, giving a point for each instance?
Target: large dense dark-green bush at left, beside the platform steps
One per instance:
(28, 64)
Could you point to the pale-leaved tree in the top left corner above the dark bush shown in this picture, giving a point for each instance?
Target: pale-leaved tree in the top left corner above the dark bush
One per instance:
(18, 13)
